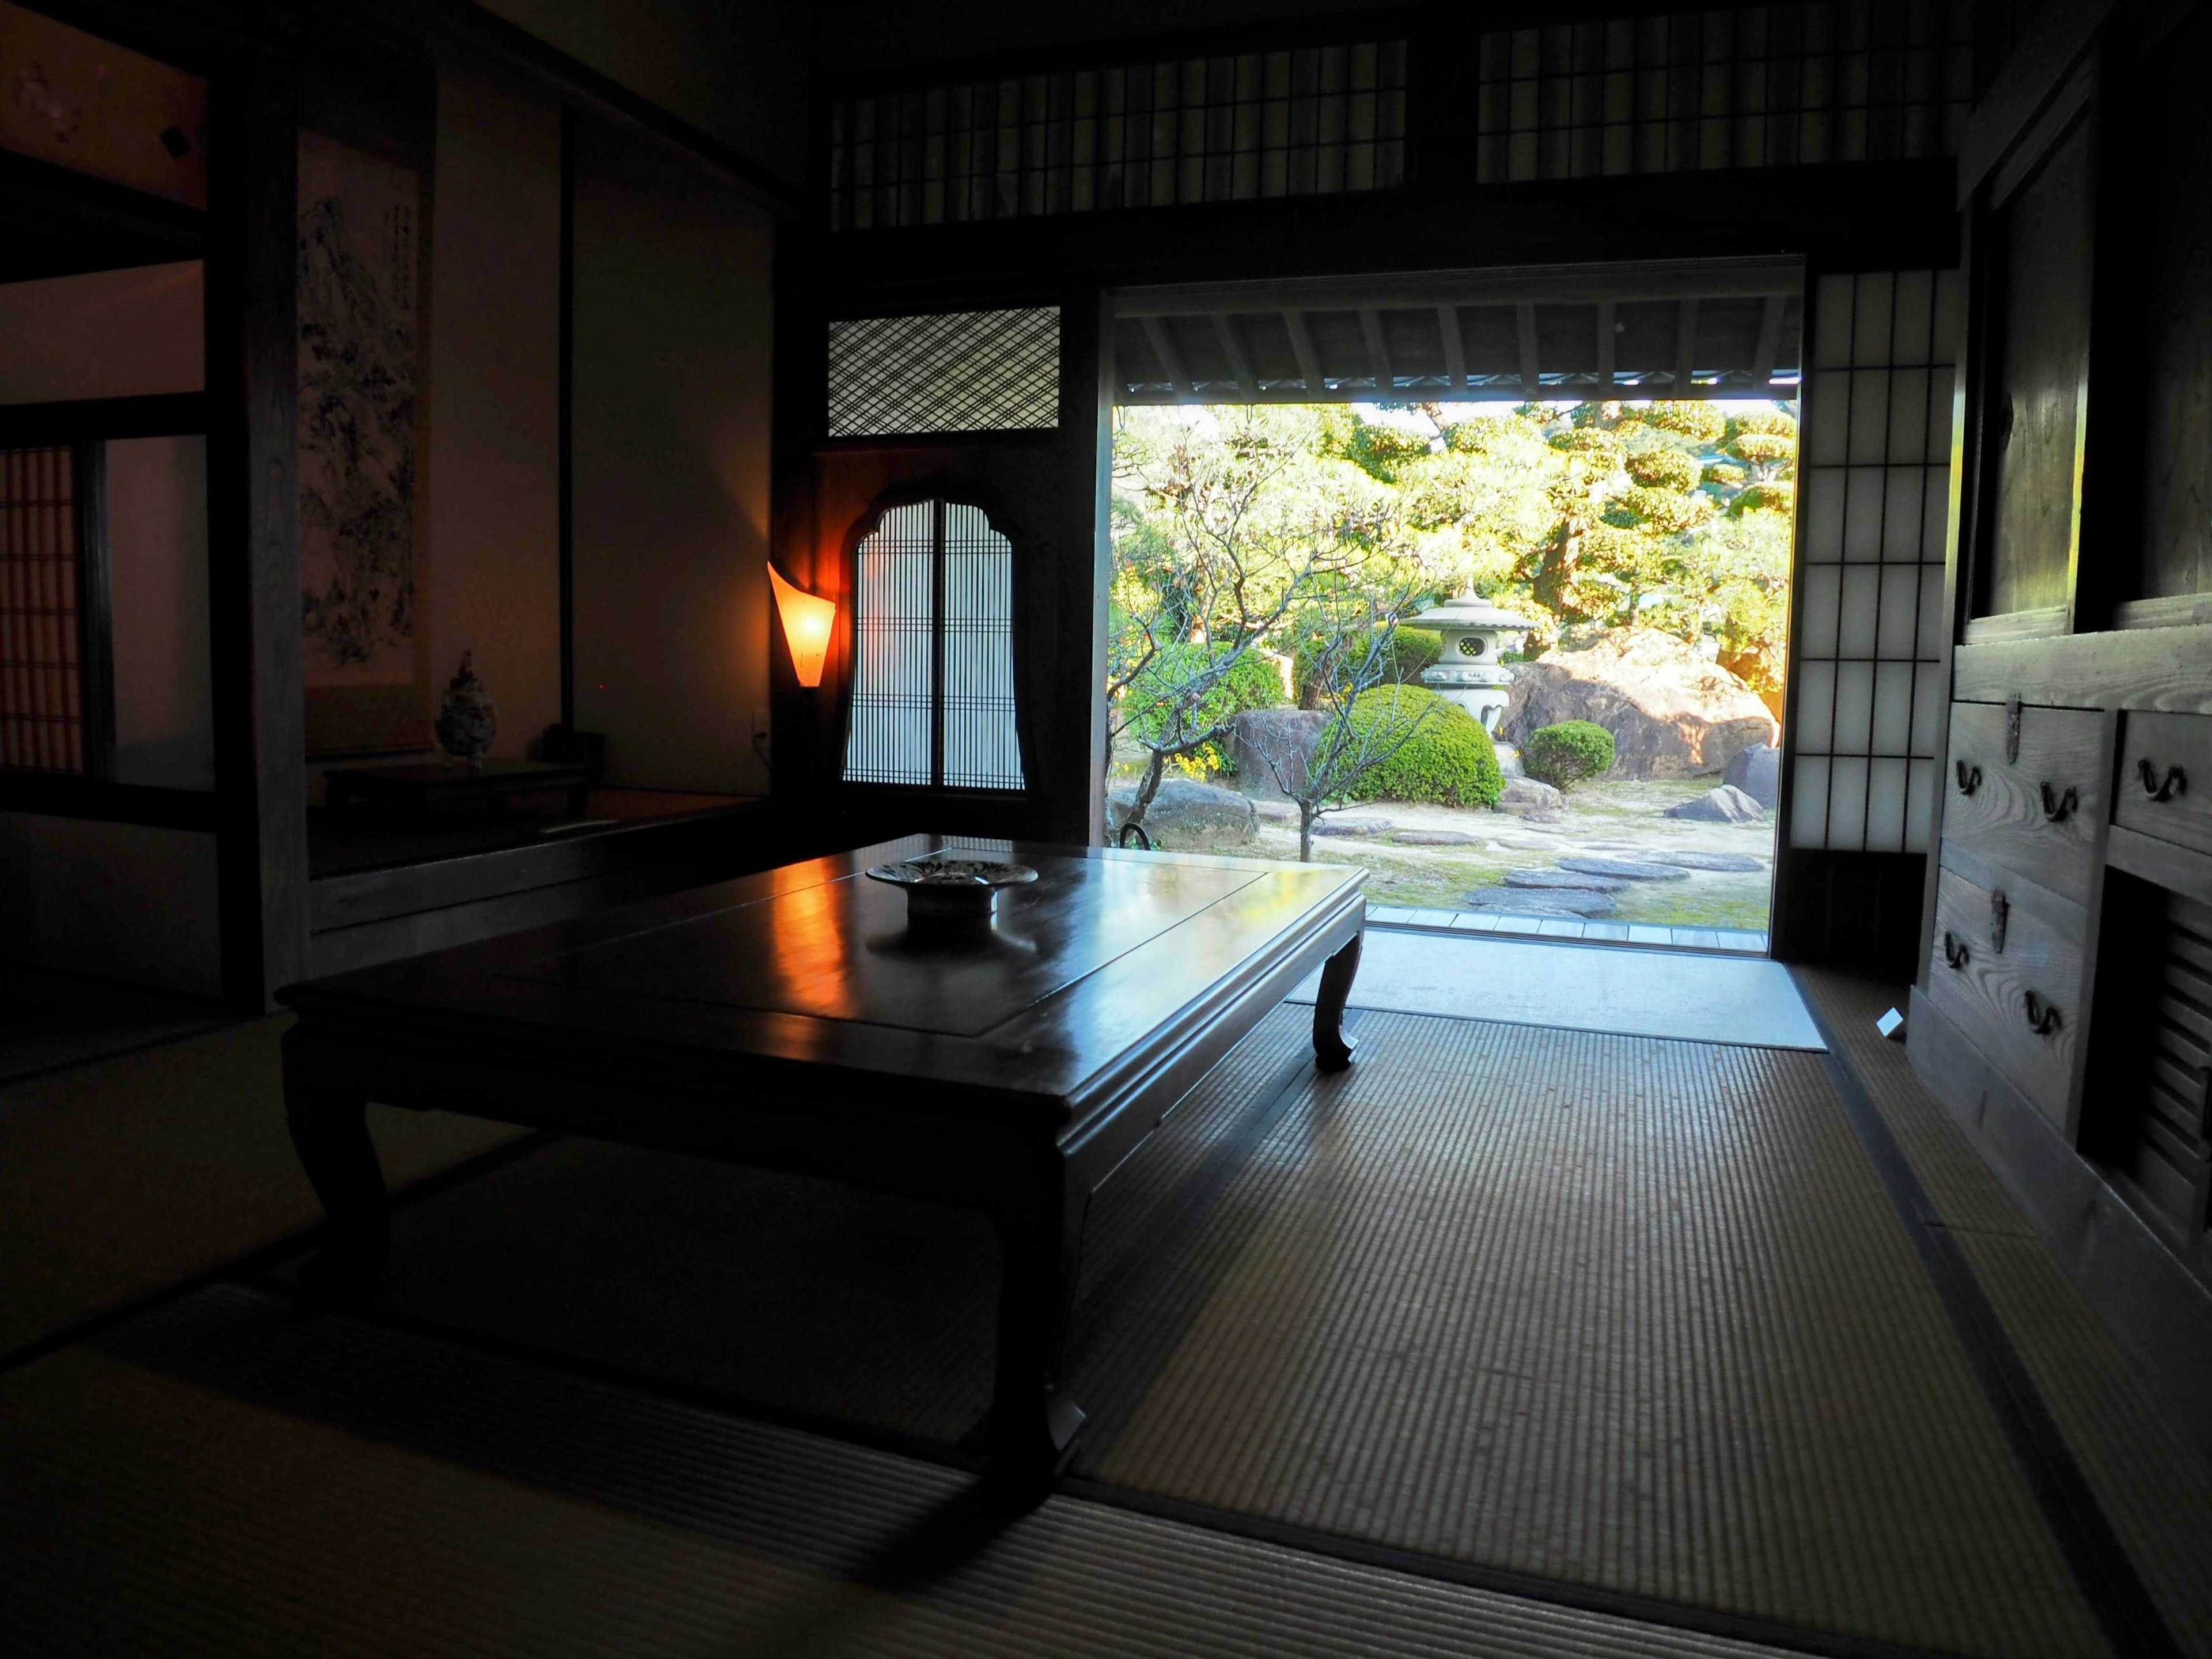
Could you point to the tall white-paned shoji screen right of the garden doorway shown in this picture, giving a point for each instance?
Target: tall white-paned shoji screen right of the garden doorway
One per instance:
(1875, 455)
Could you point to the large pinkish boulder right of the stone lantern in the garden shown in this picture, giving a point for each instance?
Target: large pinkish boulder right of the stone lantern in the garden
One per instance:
(1673, 716)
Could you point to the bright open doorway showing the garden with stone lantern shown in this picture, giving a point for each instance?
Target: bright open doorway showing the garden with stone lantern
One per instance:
(1519, 660)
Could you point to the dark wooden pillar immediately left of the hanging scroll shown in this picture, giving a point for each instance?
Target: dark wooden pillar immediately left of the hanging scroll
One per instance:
(253, 519)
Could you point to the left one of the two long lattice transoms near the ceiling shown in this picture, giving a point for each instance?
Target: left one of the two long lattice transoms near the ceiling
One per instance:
(1238, 127)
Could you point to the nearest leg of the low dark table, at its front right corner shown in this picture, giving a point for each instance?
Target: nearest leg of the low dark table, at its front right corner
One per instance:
(1039, 1238)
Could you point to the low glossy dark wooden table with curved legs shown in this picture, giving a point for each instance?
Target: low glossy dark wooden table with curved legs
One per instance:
(786, 1021)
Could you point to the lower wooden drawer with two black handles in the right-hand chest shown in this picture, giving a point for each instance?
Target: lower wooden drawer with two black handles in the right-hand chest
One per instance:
(2012, 988)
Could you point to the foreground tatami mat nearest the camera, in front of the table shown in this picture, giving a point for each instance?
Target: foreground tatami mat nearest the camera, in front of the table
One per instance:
(348, 1490)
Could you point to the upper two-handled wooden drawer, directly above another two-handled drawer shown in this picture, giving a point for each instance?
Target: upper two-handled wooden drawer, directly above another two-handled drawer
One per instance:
(2041, 811)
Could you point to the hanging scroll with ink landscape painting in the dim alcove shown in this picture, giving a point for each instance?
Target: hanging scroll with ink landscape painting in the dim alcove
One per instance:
(362, 273)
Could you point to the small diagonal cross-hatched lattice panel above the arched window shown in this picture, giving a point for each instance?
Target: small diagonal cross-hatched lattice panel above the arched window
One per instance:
(946, 373)
